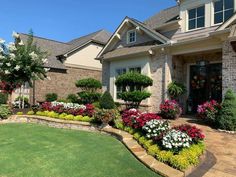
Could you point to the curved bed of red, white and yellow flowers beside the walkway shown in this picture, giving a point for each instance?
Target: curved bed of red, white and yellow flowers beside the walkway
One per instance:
(179, 147)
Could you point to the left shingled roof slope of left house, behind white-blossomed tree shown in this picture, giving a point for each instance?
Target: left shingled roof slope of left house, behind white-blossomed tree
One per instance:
(53, 48)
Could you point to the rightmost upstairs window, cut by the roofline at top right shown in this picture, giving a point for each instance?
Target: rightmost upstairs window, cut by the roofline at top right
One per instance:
(223, 10)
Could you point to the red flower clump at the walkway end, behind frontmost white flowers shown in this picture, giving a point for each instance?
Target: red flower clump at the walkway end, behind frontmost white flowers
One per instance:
(192, 131)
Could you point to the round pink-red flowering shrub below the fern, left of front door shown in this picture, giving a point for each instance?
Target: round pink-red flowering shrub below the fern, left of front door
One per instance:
(170, 109)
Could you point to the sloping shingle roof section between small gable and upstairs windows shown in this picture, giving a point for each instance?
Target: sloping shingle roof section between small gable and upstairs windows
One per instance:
(163, 17)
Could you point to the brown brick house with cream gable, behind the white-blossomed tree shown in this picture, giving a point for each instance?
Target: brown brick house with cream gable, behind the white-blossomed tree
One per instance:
(68, 62)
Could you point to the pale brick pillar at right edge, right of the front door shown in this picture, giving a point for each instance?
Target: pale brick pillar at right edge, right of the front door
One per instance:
(229, 67)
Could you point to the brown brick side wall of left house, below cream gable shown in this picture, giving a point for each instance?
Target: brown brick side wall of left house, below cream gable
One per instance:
(62, 82)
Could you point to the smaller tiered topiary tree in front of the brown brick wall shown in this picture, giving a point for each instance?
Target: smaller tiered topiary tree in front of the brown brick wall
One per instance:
(89, 90)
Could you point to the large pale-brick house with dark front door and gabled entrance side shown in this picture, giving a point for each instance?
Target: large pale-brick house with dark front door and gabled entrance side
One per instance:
(192, 43)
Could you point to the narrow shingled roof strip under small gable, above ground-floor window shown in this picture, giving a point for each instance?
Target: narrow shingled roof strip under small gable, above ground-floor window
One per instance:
(127, 51)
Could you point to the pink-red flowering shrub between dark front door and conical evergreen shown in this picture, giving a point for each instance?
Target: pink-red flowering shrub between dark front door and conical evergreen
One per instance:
(209, 110)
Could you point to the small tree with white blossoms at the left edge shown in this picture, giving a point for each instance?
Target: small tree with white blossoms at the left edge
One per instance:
(20, 63)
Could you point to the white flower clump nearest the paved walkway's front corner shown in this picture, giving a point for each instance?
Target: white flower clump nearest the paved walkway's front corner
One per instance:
(176, 140)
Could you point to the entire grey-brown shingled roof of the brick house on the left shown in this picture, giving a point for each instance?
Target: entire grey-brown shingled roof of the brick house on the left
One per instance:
(56, 48)
